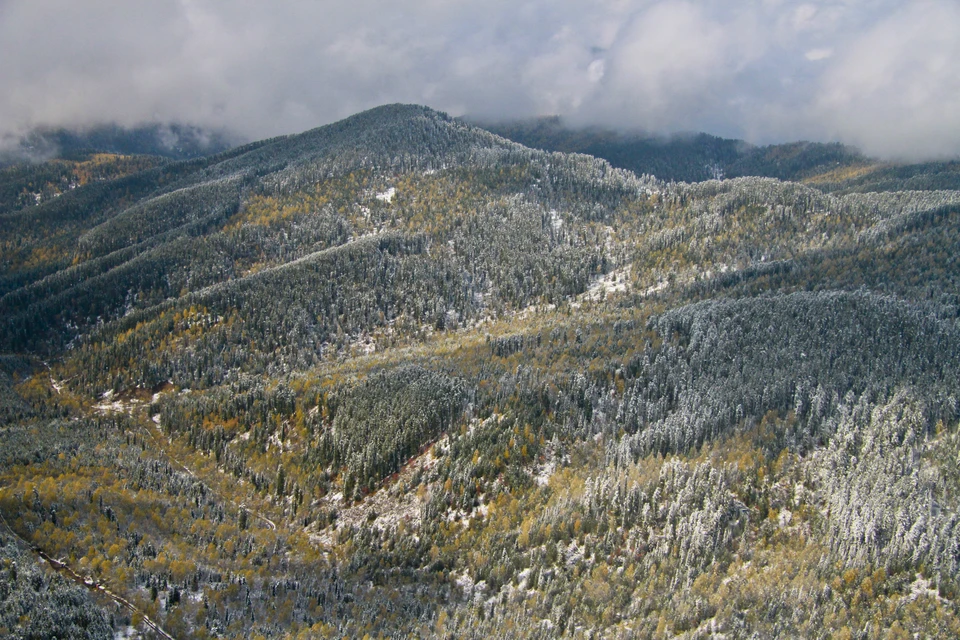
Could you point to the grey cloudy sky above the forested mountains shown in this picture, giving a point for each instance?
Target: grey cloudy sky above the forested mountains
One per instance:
(880, 74)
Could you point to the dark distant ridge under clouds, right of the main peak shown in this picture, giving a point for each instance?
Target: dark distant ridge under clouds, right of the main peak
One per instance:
(696, 157)
